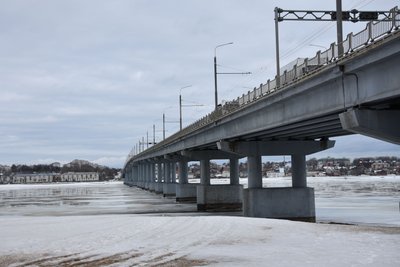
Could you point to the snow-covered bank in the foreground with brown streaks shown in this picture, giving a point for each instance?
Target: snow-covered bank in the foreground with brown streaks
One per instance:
(212, 240)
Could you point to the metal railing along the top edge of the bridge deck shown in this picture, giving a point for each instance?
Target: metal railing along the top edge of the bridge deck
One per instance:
(373, 31)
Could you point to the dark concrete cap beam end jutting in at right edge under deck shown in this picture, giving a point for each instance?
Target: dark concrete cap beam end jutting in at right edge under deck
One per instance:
(379, 124)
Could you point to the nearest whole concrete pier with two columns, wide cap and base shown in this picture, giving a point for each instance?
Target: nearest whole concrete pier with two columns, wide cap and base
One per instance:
(296, 202)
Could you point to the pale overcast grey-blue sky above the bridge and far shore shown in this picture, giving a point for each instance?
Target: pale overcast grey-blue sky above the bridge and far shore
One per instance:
(89, 79)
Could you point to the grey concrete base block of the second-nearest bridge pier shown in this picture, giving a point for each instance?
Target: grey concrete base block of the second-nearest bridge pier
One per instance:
(219, 197)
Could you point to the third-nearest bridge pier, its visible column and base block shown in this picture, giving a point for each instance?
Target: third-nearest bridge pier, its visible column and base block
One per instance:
(185, 192)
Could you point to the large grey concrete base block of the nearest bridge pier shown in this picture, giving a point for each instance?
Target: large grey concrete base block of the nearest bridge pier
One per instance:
(280, 203)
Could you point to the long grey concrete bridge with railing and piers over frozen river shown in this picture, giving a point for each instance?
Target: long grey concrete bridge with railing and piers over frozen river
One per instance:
(326, 96)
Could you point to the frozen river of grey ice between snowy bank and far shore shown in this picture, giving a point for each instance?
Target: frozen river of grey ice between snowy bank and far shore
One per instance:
(359, 200)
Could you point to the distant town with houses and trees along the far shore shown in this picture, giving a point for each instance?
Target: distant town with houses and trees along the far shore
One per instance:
(85, 171)
